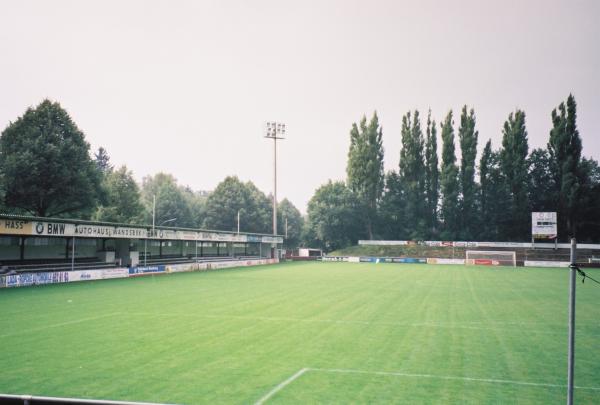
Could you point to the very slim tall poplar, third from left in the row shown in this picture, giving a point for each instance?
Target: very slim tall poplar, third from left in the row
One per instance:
(432, 174)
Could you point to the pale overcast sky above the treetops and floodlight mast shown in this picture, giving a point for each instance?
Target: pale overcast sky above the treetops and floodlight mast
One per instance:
(185, 87)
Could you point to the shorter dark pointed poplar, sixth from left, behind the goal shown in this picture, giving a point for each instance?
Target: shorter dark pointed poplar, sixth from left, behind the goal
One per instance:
(493, 196)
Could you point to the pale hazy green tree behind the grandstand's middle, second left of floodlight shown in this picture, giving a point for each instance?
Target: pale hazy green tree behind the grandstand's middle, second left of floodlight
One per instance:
(171, 205)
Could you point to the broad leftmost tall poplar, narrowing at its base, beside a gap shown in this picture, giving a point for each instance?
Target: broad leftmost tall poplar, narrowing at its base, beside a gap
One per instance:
(365, 167)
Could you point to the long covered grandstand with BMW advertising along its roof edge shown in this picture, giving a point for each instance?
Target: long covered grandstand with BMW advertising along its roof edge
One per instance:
(33, 244)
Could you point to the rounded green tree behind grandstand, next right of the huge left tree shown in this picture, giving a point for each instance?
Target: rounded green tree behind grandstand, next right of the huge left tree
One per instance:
(123, 198)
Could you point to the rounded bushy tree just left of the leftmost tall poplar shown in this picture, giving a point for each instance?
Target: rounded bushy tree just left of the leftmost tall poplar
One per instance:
(334, 217)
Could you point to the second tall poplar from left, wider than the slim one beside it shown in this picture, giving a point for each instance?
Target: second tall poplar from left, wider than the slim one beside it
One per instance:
(412, 175)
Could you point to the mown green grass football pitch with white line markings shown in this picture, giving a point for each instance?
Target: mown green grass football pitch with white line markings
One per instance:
(305, 333)
